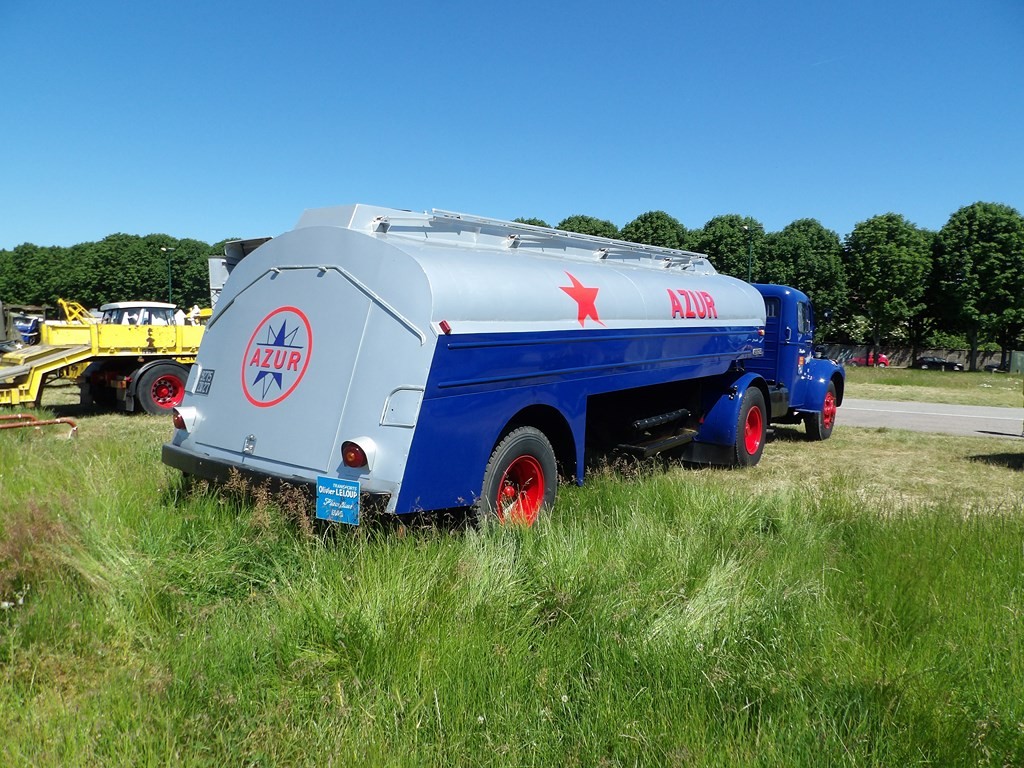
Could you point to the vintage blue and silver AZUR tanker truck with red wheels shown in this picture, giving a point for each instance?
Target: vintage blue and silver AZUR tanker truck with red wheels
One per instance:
(411, 362)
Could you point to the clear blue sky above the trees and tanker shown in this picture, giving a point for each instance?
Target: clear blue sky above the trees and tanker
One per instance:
(211, 120)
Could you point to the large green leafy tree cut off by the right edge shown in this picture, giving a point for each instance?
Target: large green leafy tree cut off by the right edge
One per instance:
(979, 260)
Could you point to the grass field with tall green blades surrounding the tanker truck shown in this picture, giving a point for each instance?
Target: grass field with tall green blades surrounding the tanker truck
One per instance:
(854, 603)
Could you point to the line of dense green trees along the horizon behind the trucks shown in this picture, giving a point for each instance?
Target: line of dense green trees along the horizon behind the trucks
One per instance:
(888, 282)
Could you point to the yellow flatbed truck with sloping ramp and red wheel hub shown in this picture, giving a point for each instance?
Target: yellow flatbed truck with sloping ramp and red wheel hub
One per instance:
(136, 356)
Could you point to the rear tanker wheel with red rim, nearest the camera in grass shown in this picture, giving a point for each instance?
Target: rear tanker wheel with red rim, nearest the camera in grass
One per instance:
(521, 481)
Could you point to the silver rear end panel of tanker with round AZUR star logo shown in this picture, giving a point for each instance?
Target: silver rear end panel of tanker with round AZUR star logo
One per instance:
(358, 350)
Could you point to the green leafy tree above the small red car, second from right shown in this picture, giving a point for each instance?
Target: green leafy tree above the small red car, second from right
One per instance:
(888, 264)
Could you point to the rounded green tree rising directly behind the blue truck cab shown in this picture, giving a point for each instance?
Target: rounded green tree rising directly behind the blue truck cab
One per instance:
(809, 258)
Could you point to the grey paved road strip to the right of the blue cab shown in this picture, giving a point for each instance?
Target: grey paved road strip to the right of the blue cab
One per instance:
(979, 421)
